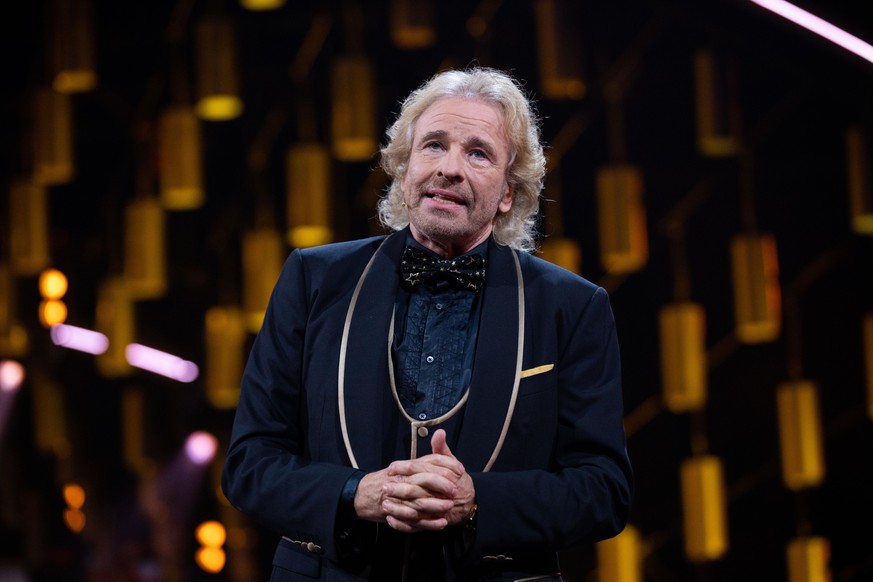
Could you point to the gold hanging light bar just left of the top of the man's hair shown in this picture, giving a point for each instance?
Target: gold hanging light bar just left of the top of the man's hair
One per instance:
(353, 108)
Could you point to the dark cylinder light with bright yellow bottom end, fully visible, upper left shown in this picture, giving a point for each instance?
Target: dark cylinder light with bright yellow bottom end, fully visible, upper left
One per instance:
(217, 69)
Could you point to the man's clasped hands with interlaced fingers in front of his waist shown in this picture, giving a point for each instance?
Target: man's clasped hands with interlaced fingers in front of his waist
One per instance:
(428, 493)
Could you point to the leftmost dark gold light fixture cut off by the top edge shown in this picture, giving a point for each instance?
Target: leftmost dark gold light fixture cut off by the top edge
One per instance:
(72, 46)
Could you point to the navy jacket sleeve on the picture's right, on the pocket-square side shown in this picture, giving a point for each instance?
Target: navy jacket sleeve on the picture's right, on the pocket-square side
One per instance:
(581, 491)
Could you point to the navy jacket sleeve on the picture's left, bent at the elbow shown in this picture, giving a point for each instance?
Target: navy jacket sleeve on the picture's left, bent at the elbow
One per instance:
(268, 474)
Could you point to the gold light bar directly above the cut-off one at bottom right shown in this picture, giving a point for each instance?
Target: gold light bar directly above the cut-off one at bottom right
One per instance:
(800, 435)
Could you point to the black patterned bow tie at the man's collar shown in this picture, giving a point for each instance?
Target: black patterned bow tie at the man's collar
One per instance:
(467, 272)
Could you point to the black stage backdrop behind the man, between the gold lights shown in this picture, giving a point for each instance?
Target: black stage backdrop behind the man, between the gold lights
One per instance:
(794, 94)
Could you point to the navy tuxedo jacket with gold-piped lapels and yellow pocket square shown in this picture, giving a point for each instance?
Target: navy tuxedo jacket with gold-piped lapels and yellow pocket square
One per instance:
(541, 431)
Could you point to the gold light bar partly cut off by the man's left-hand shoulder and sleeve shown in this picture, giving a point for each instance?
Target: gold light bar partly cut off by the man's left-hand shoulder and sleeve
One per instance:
(263, 254)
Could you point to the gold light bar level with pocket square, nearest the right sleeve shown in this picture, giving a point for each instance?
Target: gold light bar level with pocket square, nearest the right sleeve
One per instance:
(683, 356)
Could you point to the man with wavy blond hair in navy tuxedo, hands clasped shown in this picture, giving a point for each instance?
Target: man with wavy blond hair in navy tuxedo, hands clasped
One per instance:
(394, 424)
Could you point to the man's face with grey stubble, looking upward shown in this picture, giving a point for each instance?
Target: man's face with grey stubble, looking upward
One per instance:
(455, 182)
